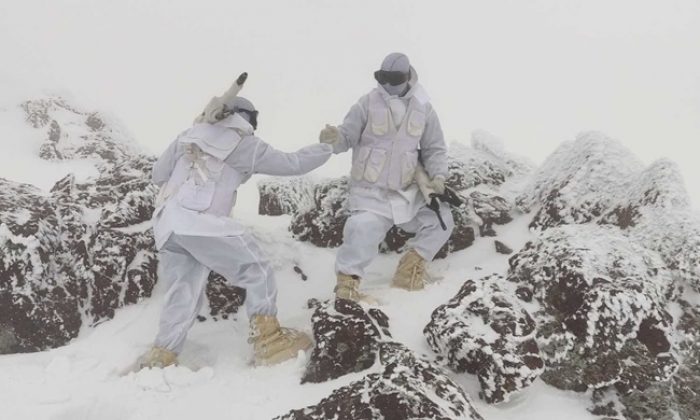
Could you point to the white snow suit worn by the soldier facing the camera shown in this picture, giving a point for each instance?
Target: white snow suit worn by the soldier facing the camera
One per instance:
(385, 133)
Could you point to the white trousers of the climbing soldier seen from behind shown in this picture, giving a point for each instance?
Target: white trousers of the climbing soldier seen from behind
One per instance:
(185, 263)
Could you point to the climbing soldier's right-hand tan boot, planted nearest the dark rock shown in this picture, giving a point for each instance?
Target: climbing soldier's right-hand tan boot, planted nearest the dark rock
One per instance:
(273, 344)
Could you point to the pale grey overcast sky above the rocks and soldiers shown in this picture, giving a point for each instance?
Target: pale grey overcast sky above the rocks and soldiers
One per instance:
(534, 73)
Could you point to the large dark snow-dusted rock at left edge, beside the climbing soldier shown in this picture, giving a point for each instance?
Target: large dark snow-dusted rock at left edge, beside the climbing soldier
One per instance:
(62, 261)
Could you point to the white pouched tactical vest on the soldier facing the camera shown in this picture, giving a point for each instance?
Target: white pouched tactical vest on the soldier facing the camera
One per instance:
(387, 156)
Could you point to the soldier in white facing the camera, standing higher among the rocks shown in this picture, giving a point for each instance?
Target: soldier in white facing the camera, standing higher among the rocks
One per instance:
(394, 133)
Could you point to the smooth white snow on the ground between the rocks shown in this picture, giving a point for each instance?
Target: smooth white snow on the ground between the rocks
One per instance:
(82, 380)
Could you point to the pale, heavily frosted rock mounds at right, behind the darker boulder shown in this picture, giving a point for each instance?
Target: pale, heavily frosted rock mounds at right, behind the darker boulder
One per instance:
(595, 179)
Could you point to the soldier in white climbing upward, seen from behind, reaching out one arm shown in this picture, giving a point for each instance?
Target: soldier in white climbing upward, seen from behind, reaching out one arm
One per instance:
(199, 174)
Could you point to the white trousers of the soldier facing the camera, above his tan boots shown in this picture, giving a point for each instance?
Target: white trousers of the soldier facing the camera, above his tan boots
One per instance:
(364, 231)
